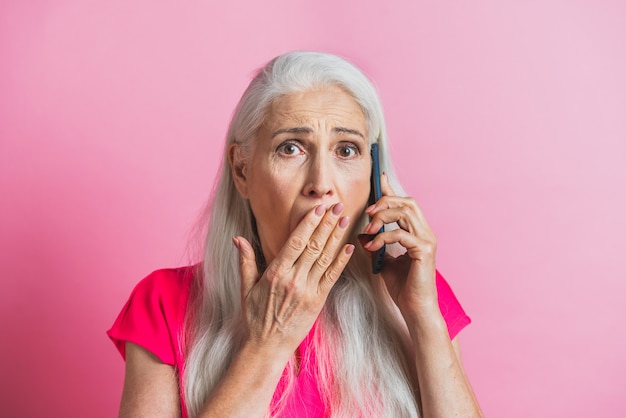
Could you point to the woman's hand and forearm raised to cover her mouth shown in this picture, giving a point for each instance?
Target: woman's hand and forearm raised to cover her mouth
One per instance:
(279, 309)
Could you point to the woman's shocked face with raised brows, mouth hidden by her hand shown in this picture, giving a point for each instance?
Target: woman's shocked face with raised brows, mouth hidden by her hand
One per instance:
(311, 150)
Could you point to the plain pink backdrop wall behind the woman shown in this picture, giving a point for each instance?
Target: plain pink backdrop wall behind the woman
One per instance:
(507, 121)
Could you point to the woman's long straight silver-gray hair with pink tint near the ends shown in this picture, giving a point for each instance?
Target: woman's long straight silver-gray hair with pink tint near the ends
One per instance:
(360, 341)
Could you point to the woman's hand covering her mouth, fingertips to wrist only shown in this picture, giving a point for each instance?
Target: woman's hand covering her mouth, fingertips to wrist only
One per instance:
(281, 306)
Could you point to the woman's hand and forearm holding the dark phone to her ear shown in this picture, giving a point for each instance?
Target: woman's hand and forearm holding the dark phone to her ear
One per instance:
(444, 389)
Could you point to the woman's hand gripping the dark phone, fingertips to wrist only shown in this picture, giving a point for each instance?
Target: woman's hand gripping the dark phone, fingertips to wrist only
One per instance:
(410, 277)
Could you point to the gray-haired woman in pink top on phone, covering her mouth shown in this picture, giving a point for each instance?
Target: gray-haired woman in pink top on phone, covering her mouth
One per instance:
(284, 316)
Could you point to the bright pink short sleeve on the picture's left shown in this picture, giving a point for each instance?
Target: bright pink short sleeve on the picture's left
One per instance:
(154, 314)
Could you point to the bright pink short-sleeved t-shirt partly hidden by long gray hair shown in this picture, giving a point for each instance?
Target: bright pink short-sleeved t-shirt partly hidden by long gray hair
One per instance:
(155, 311)
